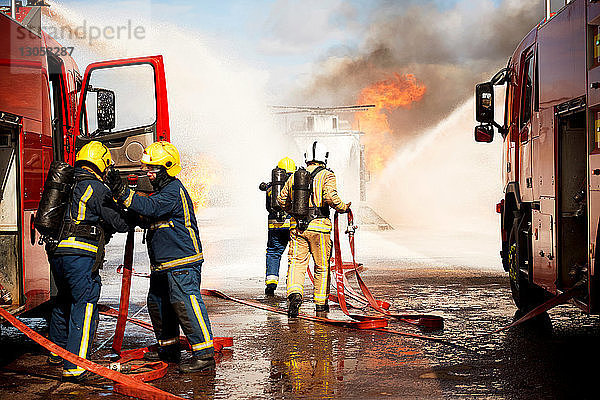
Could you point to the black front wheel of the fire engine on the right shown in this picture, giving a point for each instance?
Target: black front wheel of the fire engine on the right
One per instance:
(525, 295)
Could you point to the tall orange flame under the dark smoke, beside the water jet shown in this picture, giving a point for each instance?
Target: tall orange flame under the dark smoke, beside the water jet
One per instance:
(387, 95)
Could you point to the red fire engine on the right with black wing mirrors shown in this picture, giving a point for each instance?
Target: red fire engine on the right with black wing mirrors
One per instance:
(551, 157)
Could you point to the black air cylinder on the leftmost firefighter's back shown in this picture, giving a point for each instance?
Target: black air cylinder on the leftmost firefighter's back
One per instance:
(55, 199)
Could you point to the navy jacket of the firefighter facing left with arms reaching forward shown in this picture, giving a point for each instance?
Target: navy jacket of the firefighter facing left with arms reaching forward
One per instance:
(173, 238)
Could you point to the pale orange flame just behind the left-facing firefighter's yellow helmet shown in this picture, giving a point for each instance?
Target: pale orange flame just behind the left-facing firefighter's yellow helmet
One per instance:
(198, 176)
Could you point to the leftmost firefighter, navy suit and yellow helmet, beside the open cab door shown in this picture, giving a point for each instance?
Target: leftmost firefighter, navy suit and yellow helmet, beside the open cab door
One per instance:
(91, 217)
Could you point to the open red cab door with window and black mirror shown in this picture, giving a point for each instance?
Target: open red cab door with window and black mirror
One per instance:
(123, 104)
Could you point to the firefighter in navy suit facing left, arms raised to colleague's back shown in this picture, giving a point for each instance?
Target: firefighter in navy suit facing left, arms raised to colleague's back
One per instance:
(176, 258)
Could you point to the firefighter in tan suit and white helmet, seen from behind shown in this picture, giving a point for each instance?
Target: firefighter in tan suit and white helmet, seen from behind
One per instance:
(307, 196)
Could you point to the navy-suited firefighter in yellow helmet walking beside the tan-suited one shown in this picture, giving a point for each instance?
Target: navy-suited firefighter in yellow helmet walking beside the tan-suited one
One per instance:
(279, 222)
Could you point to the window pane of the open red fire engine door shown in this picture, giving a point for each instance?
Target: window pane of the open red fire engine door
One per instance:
(134, 98)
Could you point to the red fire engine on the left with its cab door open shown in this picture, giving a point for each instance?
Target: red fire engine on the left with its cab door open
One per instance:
(48, 111)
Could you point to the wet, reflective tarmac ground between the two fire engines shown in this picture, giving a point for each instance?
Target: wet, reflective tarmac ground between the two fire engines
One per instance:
(273, 357)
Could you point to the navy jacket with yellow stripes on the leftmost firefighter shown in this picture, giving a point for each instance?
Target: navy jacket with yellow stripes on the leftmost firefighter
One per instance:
(91, 204)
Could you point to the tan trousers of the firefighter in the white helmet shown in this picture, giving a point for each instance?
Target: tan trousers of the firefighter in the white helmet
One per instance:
(302, 244)
